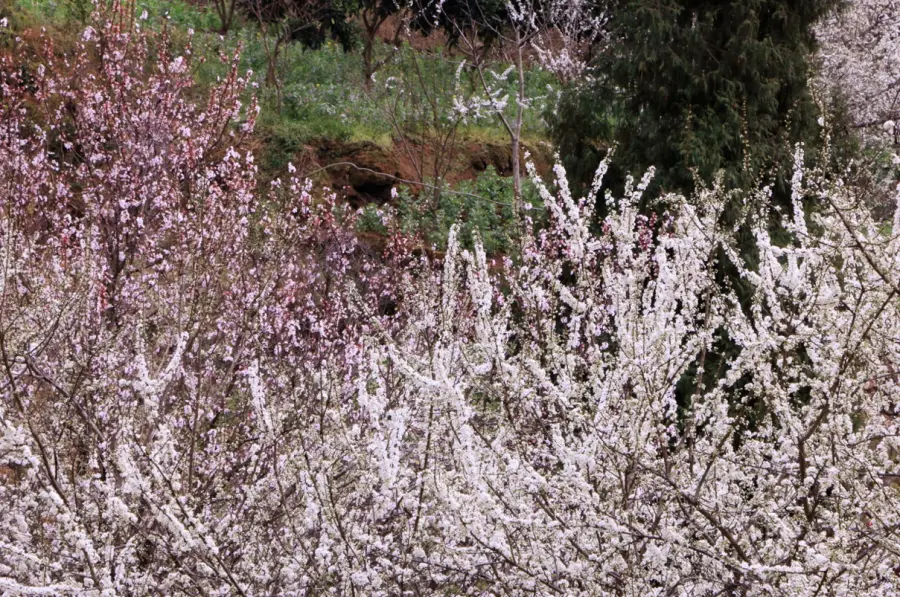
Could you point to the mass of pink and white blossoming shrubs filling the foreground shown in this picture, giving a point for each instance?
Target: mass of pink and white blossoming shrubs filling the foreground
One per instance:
(208, 389)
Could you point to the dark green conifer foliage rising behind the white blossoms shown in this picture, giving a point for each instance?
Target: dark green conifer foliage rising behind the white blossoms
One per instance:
(695, 87)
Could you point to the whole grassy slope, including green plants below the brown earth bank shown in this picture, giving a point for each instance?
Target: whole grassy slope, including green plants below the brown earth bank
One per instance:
(325, 105)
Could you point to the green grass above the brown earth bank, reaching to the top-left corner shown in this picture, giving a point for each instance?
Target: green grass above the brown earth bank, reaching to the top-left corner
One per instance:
(322, 94)
